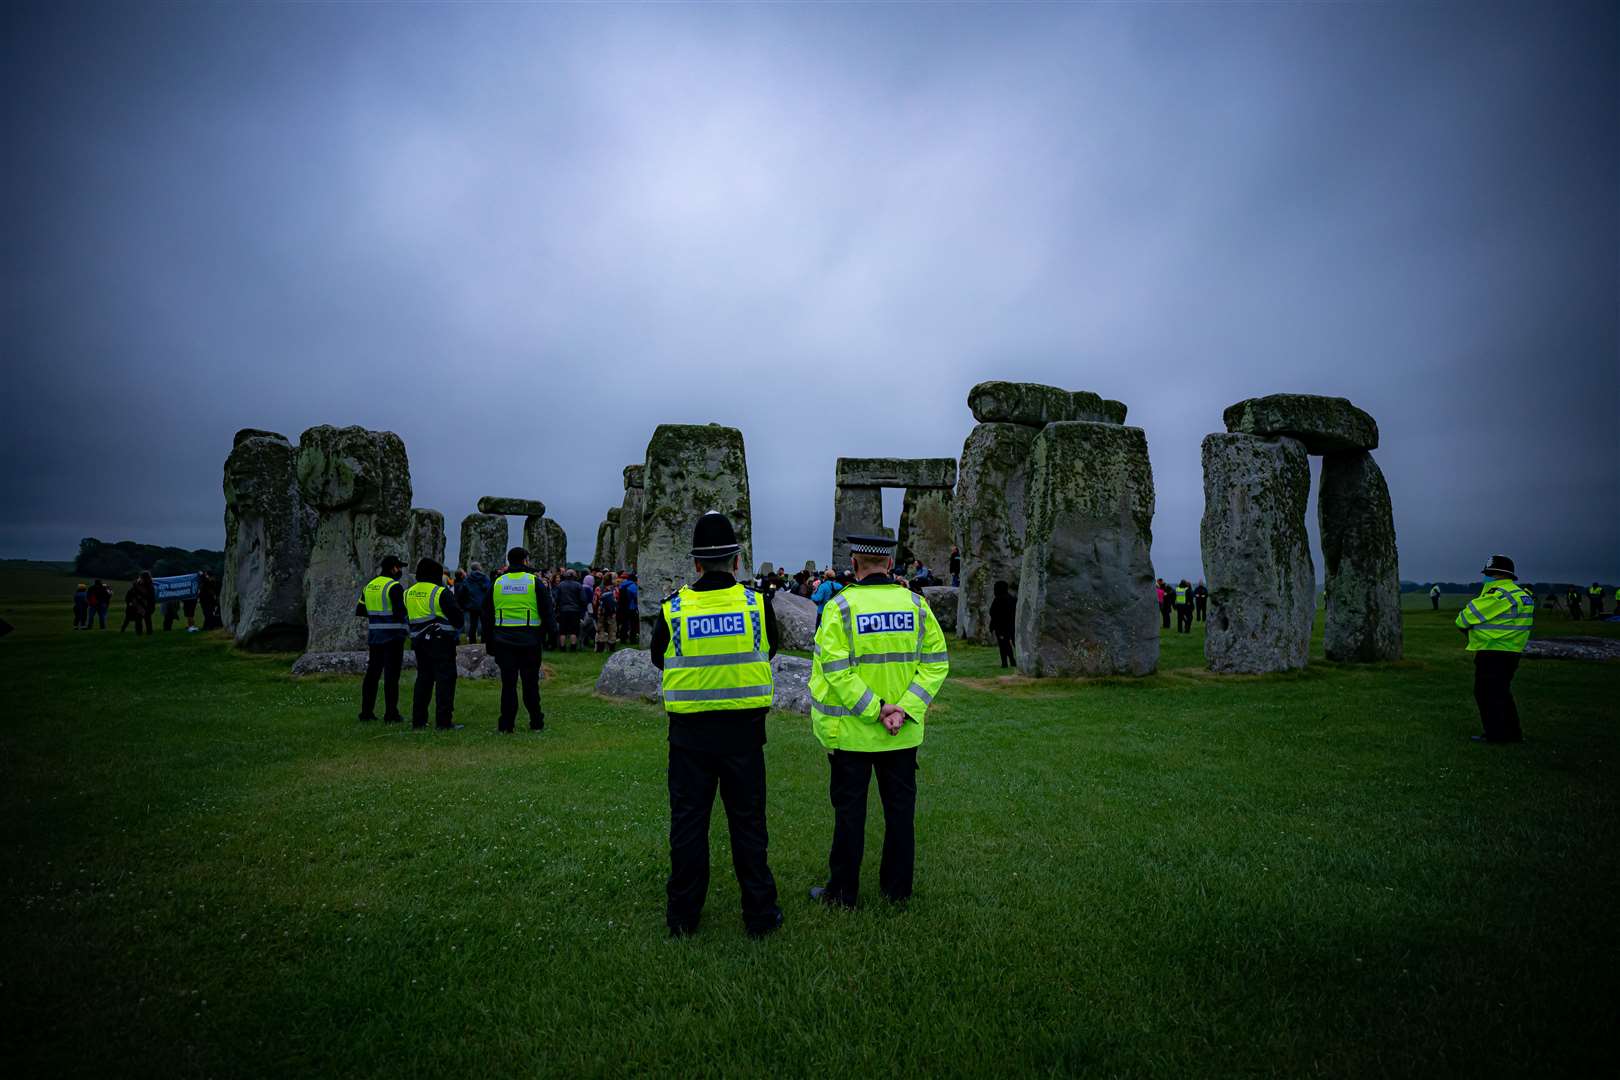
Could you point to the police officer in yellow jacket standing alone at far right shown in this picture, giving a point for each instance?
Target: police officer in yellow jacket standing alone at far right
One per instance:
(1498, 626)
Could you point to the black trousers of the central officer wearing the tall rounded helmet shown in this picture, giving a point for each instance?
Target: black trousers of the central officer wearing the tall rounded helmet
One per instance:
(694, 776)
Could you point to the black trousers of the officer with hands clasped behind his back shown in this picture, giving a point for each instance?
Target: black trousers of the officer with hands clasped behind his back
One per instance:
(898, 789)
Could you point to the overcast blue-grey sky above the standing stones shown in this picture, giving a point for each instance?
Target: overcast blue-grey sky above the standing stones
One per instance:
(524, 236)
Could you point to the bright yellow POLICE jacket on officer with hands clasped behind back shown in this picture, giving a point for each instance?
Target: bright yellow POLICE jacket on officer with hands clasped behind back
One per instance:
(877, 644)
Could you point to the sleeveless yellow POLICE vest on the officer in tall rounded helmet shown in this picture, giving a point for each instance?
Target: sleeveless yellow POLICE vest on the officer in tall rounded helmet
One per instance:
(720, 652)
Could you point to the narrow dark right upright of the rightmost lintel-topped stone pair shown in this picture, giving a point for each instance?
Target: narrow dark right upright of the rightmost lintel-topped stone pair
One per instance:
(1360, 564)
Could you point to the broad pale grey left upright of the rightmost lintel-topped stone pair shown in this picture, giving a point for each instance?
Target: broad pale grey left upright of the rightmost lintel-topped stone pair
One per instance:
(1256, 555)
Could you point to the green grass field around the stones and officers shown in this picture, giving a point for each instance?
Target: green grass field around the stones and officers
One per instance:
(215, 870)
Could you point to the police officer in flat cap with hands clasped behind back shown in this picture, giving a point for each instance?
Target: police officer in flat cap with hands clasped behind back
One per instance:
(880, 661)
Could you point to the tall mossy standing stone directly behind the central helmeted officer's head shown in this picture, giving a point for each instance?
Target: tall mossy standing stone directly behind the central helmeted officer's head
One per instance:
(691, 470)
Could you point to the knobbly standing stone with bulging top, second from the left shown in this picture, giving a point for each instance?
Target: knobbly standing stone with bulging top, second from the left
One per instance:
(359, 483)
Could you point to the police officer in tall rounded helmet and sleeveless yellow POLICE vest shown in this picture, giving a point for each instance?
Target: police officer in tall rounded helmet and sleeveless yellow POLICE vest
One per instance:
(715, 642)
